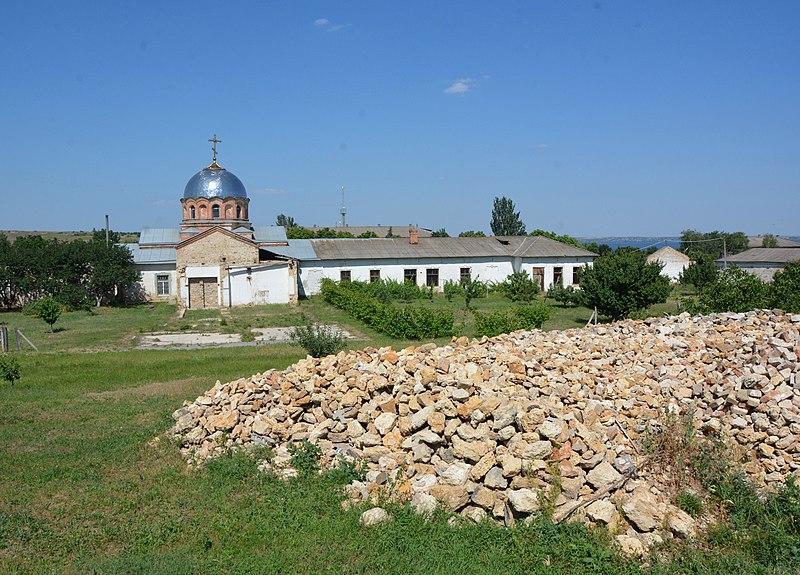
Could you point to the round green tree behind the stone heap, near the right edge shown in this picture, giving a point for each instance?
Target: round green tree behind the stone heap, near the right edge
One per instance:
(735, 290)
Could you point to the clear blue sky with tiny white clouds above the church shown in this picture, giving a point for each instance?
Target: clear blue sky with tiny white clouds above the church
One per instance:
(596, 118)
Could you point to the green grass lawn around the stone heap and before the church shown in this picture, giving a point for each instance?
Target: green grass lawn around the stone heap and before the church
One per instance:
(90, 483)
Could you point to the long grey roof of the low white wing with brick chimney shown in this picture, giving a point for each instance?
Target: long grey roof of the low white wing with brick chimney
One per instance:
(401, 248)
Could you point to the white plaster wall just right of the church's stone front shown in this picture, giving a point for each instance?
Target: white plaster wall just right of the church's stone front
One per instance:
(264, 284)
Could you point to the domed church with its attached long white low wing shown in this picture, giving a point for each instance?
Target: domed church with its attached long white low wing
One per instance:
(217, 258)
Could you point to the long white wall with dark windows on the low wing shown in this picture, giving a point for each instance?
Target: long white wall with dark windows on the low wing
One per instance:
(487, 269)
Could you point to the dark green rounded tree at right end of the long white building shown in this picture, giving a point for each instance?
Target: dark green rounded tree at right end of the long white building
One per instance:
(623, 282)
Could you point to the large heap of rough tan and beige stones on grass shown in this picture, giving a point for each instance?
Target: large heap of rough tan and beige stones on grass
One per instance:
(488, 427)
